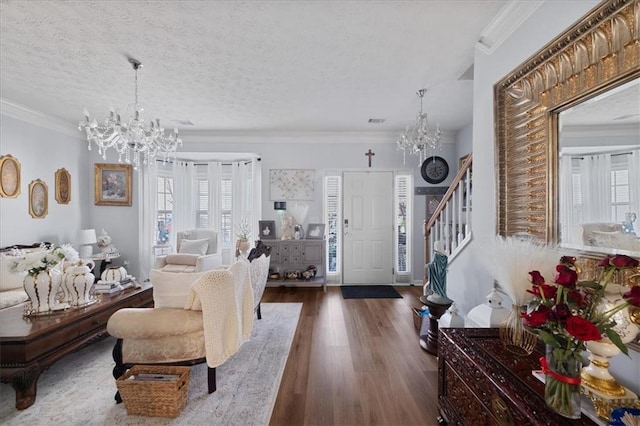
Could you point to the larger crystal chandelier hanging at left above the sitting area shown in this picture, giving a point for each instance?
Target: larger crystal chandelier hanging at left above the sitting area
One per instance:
(132, 140)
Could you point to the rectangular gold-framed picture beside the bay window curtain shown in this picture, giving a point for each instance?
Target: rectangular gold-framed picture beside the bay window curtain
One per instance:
(113, 184)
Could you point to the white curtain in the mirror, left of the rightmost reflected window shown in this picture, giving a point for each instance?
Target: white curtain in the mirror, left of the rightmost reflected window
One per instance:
(595, 174)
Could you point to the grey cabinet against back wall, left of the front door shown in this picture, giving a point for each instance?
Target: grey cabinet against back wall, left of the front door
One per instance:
(297, 256)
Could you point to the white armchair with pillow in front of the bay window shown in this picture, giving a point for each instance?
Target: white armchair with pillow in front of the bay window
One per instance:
(196, 251)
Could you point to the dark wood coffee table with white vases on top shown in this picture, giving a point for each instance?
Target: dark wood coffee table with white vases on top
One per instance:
(30, 345)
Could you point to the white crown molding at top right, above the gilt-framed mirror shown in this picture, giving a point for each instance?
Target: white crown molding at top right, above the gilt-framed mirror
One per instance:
(510, 17)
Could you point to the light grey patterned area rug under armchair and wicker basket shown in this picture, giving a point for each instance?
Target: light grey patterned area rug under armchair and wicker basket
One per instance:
(78, 389)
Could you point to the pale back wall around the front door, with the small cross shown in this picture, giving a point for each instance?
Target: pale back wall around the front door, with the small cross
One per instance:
(331, 153)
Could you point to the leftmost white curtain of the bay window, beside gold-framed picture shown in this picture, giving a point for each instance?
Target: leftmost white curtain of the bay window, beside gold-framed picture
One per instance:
(147, 216)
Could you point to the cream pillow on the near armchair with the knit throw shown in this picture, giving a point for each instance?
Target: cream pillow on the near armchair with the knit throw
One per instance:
(171, 289)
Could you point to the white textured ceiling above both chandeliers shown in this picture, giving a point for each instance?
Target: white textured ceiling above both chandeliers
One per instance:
(245, 65)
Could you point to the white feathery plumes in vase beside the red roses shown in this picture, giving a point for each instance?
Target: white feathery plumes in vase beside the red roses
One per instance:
(510, 259)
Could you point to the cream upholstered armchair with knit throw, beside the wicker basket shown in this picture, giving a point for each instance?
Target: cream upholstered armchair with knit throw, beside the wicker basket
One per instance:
(206, 323)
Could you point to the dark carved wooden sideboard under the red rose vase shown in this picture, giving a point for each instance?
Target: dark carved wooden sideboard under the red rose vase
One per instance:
(481, 383)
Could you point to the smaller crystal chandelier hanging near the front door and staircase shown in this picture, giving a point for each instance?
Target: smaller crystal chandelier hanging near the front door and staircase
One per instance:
(420, 138)
